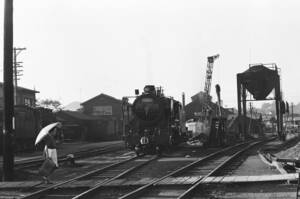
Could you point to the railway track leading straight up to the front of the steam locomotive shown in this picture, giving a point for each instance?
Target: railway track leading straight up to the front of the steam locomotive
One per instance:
(91, 181)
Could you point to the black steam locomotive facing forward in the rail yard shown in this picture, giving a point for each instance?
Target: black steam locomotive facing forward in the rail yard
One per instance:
(155, 123)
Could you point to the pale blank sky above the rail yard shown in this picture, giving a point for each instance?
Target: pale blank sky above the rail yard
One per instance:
(77, 49)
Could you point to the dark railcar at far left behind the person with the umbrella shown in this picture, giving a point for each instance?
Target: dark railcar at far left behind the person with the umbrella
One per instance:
(28, 122)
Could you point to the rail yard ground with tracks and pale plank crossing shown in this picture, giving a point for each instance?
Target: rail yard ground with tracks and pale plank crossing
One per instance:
(186, 172)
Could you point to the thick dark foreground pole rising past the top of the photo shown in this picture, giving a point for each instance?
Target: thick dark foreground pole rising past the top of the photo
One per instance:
(8, 111)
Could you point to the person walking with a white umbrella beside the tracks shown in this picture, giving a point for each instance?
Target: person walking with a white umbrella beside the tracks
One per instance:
(48, 134)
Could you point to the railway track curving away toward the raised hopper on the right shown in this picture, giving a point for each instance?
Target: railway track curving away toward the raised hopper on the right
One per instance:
(200, 169)
